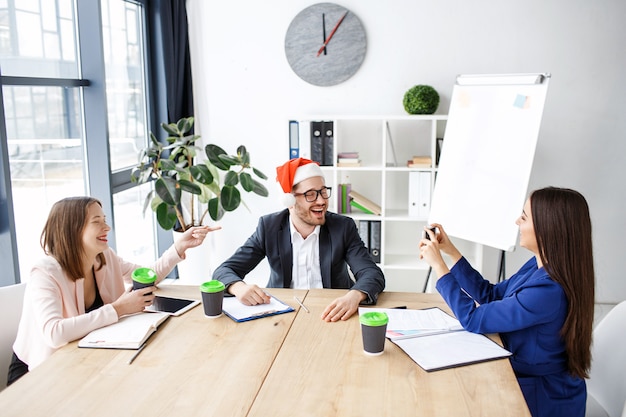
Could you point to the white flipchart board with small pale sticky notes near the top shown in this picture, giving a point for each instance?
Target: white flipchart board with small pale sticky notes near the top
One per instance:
(487, 156)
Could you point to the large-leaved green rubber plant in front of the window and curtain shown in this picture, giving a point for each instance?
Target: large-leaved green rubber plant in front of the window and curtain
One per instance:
(186, 190)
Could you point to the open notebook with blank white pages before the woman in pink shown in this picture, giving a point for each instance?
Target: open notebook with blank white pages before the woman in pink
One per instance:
(130, 332)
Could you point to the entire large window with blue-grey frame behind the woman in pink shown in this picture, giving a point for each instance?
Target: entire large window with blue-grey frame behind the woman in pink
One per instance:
(54, 127)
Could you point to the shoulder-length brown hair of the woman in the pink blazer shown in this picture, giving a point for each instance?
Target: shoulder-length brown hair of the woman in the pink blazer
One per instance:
(62, 236)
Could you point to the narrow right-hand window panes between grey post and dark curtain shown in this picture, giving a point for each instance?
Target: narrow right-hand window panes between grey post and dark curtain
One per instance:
(124, 58)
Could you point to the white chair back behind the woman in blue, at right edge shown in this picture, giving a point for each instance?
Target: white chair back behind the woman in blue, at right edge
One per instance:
(606, 386)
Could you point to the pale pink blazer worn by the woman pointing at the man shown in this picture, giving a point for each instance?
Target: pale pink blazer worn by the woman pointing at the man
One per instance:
(54, 305)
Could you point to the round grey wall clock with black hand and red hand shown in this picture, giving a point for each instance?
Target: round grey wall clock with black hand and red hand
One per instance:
(325, 44)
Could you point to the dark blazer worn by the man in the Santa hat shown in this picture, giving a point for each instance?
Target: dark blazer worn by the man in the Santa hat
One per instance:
(339, 245)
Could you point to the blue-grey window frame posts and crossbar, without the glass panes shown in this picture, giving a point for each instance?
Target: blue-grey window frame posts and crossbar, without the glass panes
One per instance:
(92, 83)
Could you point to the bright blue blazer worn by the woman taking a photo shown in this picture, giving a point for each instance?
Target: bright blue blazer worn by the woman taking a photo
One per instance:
(528, 310)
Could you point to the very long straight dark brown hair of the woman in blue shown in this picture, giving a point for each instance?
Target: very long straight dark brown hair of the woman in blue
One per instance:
(563, 230)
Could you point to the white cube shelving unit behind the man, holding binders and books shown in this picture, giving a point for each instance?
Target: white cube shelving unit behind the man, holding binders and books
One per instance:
(385, 144)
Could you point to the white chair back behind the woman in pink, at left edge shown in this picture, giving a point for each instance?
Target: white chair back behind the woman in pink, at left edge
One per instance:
(11, 300)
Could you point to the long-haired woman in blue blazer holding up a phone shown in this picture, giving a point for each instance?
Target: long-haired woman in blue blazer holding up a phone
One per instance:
(544, 312)
